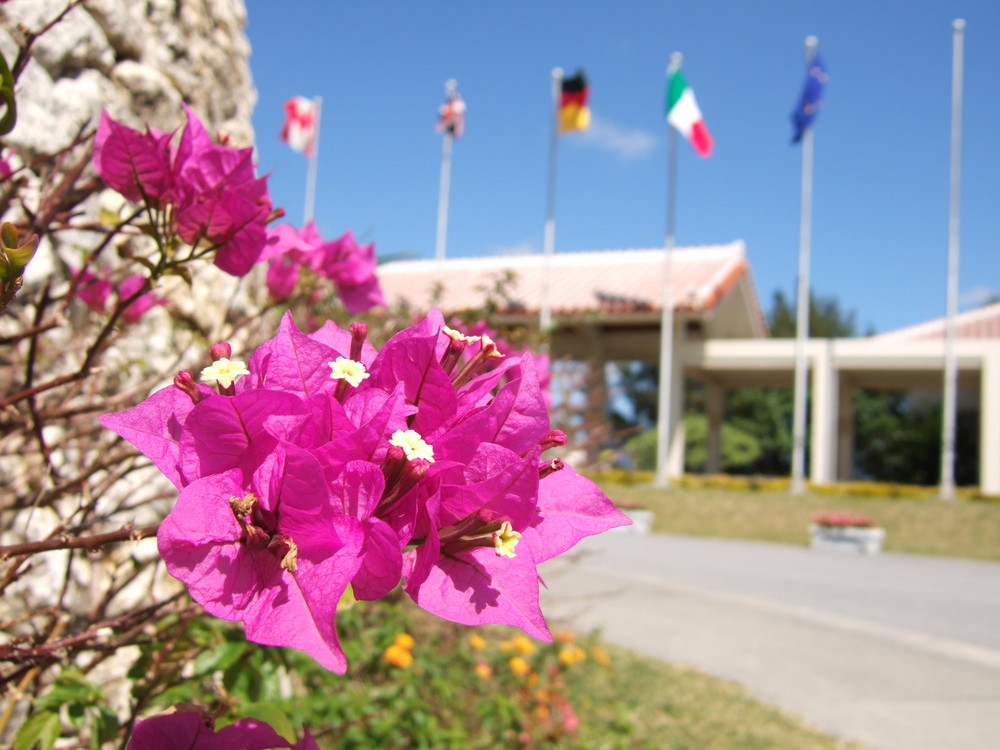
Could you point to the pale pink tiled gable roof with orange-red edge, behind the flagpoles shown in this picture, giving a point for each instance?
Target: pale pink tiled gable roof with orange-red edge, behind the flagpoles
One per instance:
(616, 281)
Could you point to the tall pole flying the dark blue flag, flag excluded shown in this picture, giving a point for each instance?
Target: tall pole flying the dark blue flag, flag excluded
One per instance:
(798, 485)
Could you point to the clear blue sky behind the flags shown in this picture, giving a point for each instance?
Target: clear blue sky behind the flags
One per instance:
(880, 190)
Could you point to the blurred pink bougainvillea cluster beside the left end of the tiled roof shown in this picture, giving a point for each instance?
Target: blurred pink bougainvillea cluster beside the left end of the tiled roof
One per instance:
(351, 267)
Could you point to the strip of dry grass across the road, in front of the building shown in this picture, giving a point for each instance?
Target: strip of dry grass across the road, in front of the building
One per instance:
(965, 527)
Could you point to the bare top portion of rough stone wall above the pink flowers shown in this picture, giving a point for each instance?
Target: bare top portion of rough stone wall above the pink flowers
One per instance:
(137, 58)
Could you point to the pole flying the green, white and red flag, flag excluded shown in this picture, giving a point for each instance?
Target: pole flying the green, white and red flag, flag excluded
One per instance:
(663, 433)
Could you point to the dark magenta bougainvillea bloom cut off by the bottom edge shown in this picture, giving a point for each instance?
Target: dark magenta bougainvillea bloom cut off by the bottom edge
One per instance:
(190, 730)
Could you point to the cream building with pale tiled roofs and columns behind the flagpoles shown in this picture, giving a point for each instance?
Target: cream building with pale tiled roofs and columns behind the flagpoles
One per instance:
(607, 307)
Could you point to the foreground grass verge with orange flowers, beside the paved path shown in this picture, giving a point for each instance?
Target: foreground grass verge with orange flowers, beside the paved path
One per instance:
(463, 681)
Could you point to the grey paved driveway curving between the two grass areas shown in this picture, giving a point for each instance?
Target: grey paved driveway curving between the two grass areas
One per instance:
(899, 651)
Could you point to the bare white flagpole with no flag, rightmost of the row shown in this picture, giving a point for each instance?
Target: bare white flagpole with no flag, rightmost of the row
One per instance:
(947, 491)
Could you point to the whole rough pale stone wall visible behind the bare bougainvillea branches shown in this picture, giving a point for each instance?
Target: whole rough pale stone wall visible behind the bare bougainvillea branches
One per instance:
(139, 59)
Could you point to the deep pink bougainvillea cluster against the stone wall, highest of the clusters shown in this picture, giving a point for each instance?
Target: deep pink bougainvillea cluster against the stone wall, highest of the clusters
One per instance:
(211, 191)
